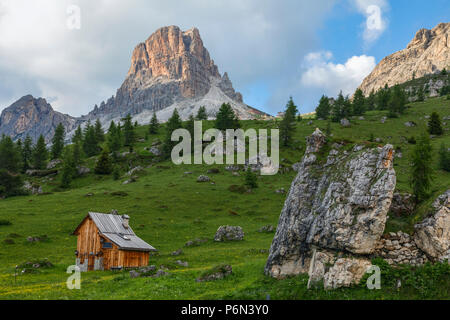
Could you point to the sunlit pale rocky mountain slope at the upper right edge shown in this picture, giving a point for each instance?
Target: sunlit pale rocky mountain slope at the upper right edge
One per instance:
(427, 53)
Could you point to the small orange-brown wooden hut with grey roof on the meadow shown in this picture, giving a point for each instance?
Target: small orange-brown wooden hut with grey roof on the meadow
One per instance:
(106, 241)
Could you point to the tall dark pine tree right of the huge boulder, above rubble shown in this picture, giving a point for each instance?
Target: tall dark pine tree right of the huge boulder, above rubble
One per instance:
(421, 171)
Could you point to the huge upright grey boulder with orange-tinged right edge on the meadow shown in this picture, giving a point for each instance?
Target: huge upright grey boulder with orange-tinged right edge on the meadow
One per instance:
(338, 201)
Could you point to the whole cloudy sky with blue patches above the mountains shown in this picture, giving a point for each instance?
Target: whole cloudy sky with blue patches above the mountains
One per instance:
(271, 49)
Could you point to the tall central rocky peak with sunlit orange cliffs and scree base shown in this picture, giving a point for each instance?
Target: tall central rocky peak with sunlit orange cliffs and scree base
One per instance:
(172, 69)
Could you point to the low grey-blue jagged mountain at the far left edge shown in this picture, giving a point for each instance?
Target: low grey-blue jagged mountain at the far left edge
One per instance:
(30, 116)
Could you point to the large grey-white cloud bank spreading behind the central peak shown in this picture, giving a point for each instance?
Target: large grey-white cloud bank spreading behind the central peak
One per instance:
(253, 40)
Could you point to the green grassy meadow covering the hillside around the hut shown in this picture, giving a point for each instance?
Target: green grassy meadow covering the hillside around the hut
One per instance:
(168, 208)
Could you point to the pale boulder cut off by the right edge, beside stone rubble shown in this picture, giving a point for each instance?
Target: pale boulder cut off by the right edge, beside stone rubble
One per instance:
(433, 235)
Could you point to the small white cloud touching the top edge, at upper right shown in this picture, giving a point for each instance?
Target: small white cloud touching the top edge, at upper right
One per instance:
(375, 23)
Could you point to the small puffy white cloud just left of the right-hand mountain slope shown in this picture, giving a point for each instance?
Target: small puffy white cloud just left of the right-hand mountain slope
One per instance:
(321, 72)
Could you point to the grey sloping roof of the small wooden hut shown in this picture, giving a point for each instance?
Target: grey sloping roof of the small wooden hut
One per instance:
(111, 226)
